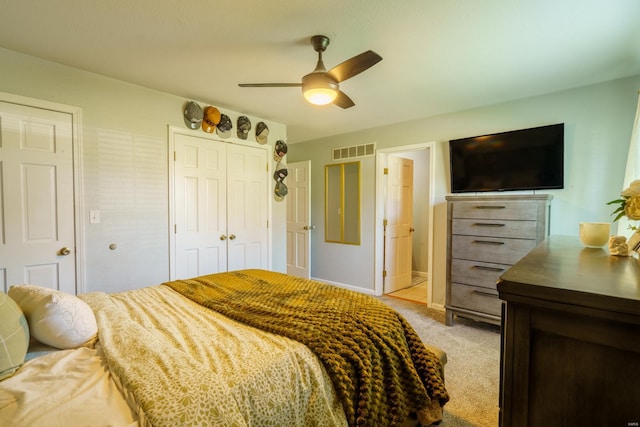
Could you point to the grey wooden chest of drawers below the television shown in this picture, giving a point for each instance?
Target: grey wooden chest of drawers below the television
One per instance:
(487, 235)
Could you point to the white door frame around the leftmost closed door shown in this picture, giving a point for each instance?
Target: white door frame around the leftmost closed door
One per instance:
(78, 183)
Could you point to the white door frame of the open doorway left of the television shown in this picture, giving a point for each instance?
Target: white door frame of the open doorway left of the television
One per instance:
(381, 155)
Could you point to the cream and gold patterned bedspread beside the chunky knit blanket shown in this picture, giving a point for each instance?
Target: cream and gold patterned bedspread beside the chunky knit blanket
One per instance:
(179, 363)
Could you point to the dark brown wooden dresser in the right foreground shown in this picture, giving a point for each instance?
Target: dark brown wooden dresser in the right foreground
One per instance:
(570, 338)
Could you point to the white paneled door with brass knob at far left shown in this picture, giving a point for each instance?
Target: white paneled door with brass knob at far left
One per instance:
(37, 229)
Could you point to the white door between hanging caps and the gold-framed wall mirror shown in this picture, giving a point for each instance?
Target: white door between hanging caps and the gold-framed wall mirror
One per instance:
(299, 219)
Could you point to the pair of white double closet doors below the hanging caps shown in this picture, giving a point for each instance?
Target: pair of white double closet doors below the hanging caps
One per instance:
(220, 207)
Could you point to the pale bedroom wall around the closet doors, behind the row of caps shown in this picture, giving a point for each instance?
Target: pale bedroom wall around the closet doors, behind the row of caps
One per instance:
(125, 167)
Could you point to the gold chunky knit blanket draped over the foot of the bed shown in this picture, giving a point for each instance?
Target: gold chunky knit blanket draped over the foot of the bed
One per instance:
(379, 367)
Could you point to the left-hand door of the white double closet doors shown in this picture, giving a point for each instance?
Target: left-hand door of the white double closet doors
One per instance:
(200, 191)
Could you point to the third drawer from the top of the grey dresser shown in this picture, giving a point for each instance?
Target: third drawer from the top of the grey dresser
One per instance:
(490, 249)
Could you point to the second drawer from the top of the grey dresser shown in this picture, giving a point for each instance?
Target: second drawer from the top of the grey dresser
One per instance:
(495, 228)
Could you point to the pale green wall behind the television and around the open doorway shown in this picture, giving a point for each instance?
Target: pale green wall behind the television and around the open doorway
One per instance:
(598, 121)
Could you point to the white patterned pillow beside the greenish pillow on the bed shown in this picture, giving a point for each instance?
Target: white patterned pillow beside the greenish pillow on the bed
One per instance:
(56, 318)
